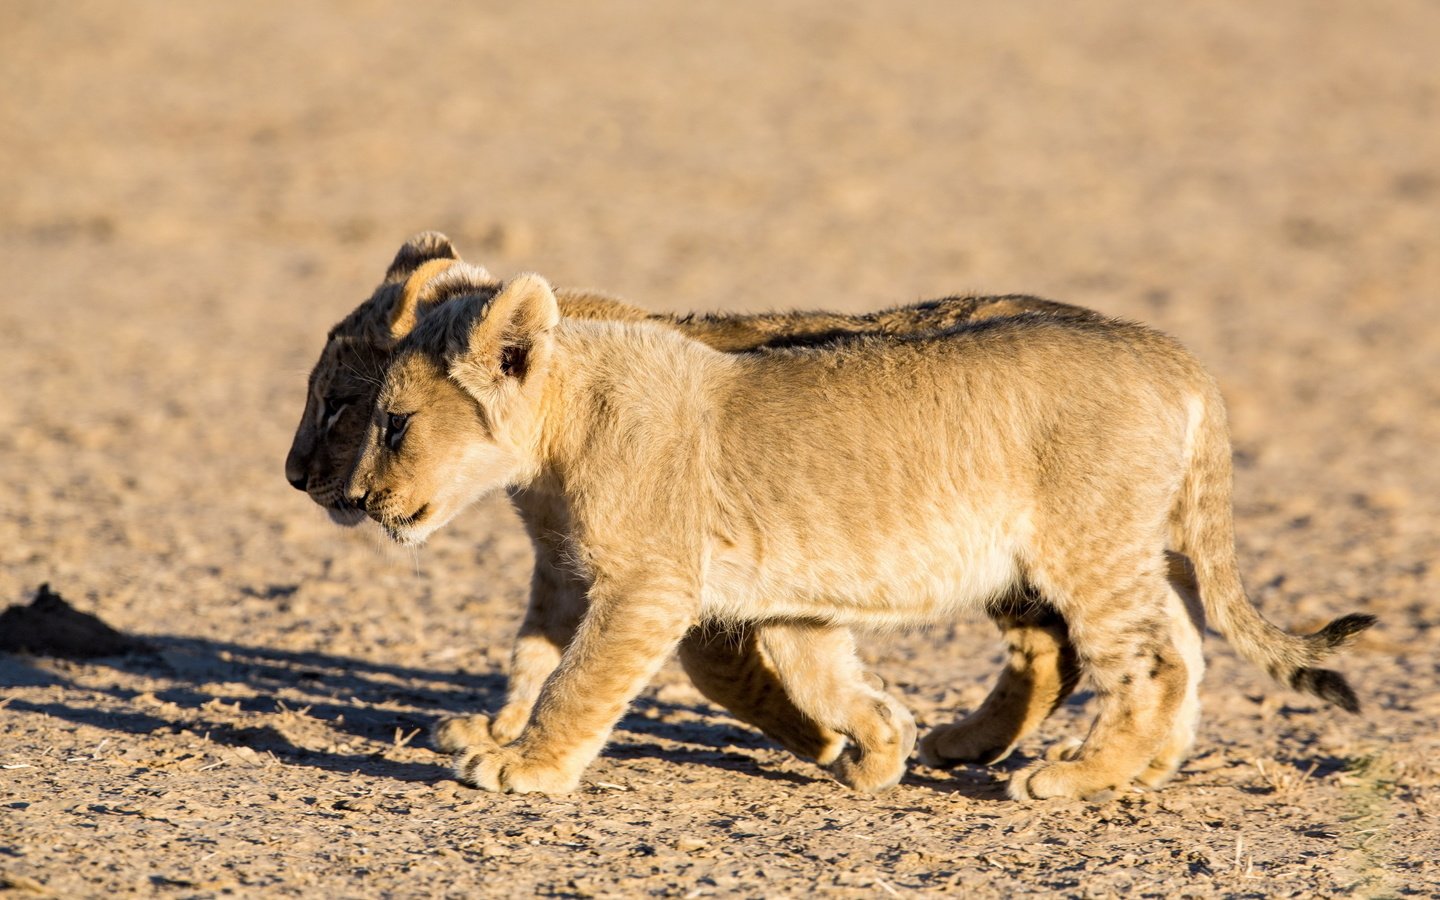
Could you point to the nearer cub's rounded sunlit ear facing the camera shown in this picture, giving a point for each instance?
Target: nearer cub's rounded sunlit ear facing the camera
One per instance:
(510, 341)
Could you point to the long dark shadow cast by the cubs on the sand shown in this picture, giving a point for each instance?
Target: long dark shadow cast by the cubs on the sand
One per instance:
(300, 705)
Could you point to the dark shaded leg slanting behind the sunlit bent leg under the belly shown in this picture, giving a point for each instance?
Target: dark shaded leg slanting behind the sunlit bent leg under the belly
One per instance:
(729, 666)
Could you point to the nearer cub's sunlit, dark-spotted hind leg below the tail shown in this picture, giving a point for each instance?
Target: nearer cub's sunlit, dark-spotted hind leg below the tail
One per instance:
(1125, 639)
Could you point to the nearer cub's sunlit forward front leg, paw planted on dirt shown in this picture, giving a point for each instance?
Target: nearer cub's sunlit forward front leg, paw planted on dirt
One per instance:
(629, 631)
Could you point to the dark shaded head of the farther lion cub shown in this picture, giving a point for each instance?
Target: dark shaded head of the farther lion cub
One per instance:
(343, 384)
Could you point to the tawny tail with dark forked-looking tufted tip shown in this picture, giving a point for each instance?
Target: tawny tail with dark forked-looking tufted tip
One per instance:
(1206, 534)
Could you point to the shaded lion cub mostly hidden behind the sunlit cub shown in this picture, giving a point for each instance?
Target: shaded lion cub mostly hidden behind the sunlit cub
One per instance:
(729, 665)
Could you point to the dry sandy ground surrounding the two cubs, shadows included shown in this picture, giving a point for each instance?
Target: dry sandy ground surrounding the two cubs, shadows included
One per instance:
(192, 194)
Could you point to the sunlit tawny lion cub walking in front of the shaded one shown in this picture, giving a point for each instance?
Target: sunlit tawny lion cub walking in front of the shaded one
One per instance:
(872, 482)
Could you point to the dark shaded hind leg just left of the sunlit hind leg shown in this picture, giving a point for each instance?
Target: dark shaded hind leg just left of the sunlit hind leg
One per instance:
(1040, 673)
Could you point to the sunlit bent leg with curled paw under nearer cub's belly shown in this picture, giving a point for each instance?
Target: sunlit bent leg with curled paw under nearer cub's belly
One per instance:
(823, 676)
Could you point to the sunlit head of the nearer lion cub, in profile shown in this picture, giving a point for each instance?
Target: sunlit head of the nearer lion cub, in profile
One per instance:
(459, 410)
